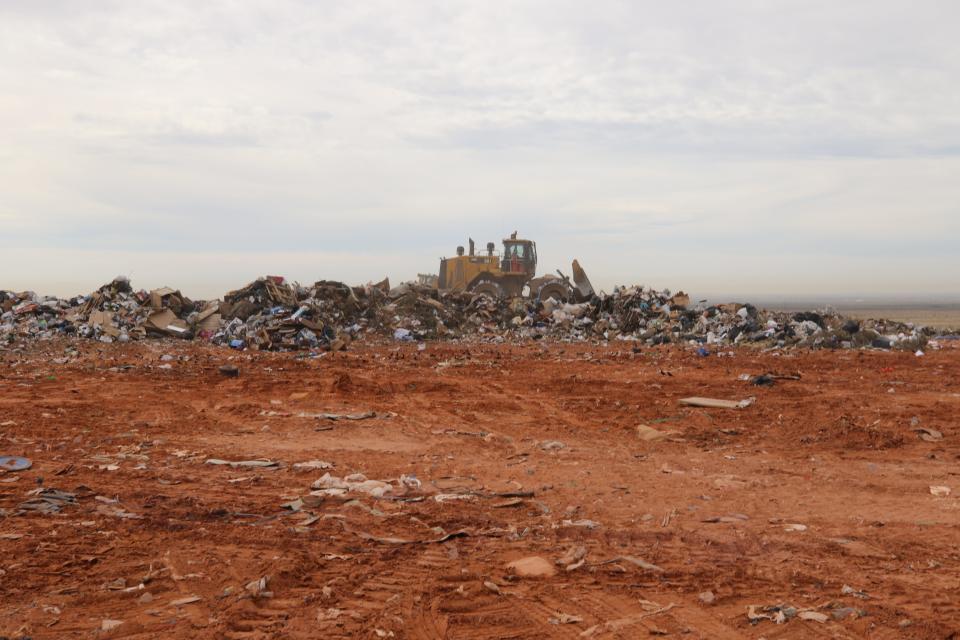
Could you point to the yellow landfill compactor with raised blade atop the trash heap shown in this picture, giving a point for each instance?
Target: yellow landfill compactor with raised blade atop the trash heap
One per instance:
(510, 273)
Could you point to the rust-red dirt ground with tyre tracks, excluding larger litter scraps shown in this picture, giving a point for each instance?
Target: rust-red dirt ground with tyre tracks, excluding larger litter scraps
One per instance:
(835, 451)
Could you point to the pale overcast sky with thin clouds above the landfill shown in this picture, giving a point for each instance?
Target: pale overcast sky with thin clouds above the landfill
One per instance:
(748, 147)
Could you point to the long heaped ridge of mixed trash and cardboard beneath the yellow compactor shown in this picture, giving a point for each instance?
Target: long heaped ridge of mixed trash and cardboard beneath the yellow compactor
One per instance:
(273, 314)
